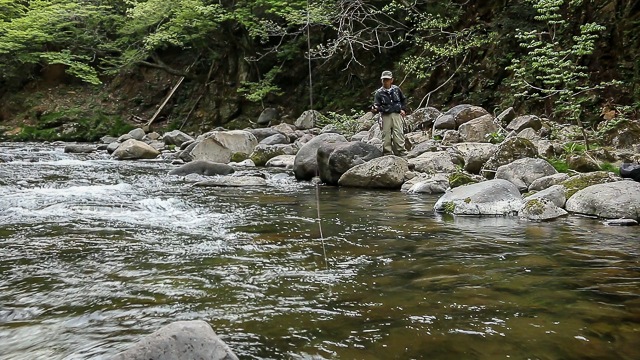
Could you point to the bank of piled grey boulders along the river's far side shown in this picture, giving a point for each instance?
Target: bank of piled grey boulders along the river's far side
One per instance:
(483, 165)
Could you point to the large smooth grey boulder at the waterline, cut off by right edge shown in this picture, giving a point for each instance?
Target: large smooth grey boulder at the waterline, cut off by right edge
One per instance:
(614, 200)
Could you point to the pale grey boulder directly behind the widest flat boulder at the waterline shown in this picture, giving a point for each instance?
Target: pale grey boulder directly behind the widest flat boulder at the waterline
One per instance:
(523, 172)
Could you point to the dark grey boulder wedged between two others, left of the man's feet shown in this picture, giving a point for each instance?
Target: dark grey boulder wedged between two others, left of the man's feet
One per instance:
(334, 159)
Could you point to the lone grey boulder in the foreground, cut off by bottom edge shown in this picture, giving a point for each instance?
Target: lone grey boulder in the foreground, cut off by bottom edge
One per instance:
(180, 340)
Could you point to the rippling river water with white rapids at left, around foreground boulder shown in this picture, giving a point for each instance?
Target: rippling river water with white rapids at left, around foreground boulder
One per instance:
(96, 253)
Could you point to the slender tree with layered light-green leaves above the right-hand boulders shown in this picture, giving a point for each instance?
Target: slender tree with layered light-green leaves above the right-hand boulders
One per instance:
(552, 65)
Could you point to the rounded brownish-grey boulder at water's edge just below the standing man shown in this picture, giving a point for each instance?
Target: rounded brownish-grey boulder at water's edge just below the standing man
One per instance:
(386, 172)
